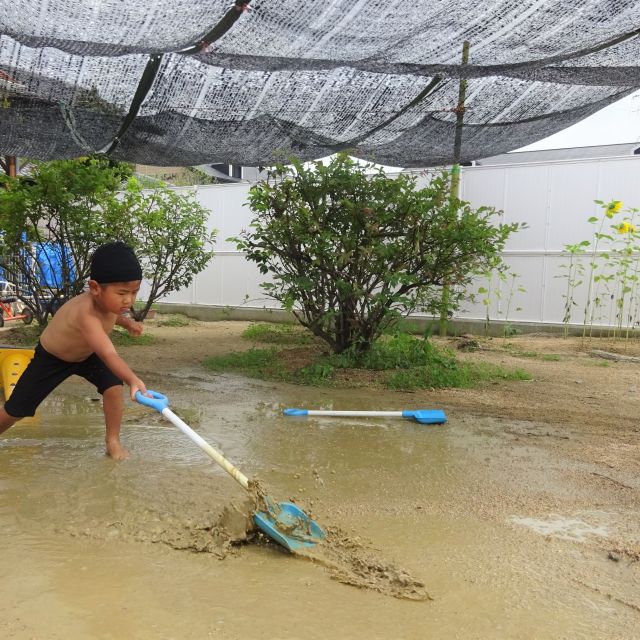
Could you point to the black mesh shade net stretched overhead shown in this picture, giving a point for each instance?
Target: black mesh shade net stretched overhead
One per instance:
(200, 81)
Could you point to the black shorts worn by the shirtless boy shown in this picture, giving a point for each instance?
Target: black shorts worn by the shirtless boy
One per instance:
(45, 372)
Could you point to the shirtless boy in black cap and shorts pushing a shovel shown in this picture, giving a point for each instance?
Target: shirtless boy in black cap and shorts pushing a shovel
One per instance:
(76, 341)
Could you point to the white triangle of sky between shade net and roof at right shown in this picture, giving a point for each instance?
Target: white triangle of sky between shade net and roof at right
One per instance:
(617, 123)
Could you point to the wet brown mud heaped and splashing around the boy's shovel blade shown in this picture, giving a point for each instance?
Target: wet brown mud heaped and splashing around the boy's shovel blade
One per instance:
(223, 531)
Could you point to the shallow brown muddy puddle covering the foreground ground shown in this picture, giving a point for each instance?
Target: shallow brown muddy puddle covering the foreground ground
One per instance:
(488, 532)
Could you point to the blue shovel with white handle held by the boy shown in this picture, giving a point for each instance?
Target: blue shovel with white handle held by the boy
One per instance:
(283, 522)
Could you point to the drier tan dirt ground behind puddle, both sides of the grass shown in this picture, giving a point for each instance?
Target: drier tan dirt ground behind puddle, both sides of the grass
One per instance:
(572, 384)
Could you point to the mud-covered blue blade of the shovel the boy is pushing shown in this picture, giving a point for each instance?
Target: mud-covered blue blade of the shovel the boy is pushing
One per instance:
(290, 526)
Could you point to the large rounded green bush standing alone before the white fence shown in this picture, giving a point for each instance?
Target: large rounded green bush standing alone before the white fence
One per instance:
(350, 253)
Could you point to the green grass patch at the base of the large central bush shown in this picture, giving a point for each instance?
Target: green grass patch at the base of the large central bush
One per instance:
(401, 362)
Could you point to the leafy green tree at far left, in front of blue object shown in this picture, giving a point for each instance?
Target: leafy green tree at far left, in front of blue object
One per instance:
(57, 215)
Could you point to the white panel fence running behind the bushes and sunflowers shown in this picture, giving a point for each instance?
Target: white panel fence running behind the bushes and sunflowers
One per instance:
(555, 199)
